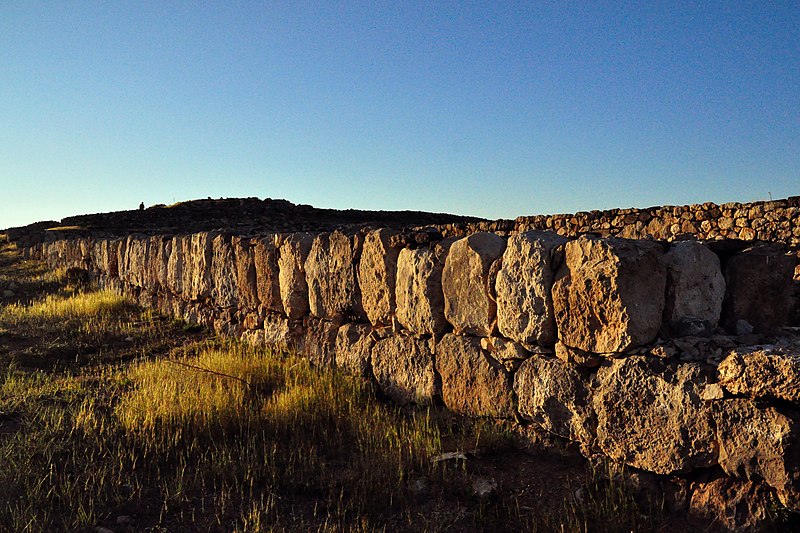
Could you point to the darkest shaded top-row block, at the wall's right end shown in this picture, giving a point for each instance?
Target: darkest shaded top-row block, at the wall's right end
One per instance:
(759, 281)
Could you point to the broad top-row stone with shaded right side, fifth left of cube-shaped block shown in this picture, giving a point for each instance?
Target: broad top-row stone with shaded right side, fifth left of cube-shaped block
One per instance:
(333, 292)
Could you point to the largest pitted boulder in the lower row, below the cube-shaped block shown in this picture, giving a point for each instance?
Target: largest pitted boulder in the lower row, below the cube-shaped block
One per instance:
(652, 415)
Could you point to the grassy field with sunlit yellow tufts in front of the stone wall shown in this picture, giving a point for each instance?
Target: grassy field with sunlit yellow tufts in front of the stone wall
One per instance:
(114, 417)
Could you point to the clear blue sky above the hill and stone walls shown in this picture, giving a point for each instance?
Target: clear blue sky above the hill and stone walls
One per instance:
(494, 109)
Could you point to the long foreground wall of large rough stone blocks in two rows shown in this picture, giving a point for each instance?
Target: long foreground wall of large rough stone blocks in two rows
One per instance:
(673, 357)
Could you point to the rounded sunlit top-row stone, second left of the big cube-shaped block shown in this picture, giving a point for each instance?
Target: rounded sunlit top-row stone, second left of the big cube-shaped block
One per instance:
(469, 302)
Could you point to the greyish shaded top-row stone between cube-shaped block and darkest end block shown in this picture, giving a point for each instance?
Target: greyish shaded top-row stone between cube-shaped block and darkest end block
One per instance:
(695, 285)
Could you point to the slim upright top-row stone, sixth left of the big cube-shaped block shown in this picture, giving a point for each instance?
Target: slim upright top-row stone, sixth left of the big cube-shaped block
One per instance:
(292, 274)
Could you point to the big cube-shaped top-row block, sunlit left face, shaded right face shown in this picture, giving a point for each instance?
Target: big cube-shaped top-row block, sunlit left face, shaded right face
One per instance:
(609, 294)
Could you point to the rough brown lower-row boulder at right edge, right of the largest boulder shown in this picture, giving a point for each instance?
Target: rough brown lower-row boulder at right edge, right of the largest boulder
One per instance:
(757, 442)
